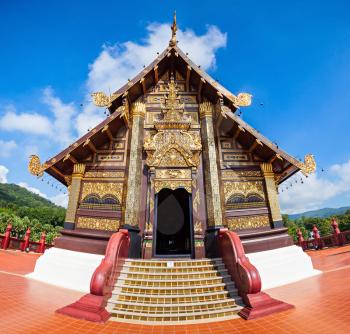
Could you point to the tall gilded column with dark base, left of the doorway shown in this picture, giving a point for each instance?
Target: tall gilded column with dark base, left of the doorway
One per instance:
(133, 196)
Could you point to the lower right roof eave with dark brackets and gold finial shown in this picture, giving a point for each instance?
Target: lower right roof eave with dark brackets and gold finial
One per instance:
(284, 165)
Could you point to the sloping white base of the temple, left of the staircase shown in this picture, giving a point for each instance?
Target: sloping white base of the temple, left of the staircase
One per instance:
(66, 269)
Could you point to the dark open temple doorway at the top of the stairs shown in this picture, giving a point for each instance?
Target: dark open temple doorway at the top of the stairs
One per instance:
(173, 218)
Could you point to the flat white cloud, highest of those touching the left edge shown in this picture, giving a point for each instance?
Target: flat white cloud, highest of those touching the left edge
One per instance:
(32, 123)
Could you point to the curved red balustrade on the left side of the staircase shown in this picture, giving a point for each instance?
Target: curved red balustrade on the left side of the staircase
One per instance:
(92, 306)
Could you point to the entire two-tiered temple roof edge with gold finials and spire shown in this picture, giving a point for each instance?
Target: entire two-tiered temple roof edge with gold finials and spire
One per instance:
(172, 58)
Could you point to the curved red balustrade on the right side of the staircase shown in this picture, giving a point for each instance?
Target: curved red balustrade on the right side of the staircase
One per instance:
(247, 279)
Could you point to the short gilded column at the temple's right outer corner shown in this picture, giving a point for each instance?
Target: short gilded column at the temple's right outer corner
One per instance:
(272, 194)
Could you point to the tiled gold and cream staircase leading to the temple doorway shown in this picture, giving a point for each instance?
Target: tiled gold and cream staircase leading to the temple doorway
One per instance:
(173, 291)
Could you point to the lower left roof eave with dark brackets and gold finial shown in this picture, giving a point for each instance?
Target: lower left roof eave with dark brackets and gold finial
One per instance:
(61, 165)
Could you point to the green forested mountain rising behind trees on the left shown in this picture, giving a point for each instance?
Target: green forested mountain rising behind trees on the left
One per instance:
(14, 195)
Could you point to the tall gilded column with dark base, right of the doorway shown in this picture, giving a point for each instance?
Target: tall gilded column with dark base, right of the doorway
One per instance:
(211, 175)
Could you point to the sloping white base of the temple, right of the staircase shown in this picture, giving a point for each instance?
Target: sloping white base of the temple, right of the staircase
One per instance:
(282, 266)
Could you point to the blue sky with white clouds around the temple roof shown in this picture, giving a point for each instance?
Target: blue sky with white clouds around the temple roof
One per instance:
(293, 57)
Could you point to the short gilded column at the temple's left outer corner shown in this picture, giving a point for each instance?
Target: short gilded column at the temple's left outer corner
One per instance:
(74, 191)
